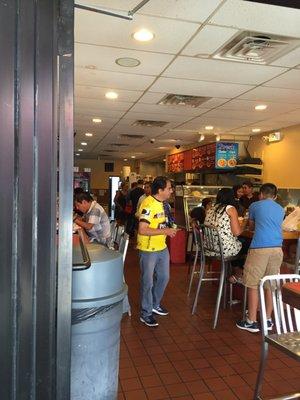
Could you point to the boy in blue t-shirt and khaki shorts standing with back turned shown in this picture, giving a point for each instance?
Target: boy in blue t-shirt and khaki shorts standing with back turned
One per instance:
(265, 252)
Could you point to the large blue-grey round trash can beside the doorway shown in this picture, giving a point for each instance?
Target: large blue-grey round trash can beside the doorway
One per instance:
(97, 296)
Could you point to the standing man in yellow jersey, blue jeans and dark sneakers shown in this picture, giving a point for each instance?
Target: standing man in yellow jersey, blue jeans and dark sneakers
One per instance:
(153, 251)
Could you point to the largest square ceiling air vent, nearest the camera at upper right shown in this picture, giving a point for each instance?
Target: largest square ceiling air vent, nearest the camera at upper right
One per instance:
(256, 48)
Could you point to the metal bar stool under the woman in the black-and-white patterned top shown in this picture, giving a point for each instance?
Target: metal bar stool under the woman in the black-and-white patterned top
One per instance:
(210, 242)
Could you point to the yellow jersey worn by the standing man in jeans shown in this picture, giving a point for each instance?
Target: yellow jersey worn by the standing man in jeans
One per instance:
(152, 212)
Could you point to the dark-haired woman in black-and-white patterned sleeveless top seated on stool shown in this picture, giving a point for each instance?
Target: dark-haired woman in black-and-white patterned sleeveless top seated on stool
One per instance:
(223, 216)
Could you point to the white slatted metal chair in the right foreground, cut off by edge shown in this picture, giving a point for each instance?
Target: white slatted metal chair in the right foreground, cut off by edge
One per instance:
(287, 326)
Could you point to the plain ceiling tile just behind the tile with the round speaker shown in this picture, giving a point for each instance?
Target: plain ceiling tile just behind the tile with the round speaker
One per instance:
(111, 80)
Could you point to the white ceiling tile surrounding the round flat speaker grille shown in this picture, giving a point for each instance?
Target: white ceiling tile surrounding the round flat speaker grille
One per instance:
(104, 58)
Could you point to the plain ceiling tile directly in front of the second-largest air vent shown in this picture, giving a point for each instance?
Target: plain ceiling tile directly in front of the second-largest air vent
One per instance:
(199, 88)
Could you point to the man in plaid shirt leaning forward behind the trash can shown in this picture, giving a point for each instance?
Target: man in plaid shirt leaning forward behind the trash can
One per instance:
(95, 220)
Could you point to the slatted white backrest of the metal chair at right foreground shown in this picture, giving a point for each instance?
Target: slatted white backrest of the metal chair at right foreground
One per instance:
(286, 318)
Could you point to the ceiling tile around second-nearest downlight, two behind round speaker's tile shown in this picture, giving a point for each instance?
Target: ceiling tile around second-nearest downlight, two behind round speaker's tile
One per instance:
(93, 92)
